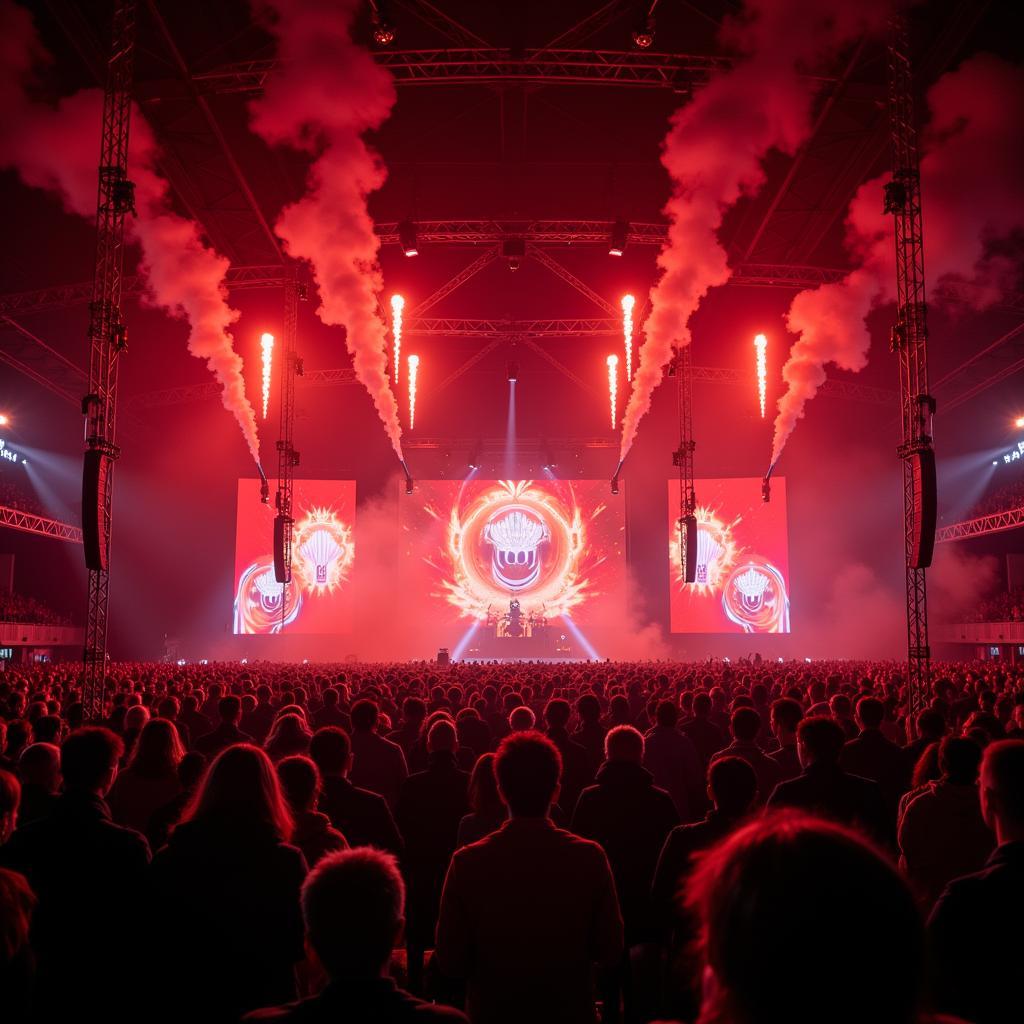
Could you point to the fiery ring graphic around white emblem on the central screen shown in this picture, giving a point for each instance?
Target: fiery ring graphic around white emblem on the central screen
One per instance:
(516, 539)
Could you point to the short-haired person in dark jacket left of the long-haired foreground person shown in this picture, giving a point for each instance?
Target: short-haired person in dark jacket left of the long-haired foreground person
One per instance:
(88, 875)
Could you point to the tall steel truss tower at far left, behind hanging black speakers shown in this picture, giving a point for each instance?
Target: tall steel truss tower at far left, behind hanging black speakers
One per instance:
(107, 337)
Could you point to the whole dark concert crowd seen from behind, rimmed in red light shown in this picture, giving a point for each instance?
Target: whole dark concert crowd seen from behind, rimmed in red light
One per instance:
(713, 843)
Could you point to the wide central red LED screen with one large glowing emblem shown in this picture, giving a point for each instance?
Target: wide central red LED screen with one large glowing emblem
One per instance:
(552, 549)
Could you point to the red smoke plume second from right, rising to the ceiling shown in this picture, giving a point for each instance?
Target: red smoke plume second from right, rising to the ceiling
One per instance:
(714, 153)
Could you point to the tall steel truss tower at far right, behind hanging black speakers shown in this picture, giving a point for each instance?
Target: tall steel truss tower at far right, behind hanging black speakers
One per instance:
(910, 343)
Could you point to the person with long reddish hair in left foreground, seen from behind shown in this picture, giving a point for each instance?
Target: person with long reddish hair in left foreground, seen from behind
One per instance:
(228, 929)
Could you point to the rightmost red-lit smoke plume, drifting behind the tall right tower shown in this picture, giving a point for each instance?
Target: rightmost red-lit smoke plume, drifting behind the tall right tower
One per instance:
(973, 218)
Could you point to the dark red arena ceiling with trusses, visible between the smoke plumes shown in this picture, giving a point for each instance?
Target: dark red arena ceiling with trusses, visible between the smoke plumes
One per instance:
(540, 116)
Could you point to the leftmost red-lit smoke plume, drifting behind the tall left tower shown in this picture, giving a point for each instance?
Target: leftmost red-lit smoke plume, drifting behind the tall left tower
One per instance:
(57, 148)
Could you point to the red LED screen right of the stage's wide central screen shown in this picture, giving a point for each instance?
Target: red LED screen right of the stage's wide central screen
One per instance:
(743, 566)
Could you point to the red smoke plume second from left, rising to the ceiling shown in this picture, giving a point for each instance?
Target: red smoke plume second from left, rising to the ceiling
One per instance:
(326, 95)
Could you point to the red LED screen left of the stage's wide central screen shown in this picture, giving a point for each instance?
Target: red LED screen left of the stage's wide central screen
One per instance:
(320, 598)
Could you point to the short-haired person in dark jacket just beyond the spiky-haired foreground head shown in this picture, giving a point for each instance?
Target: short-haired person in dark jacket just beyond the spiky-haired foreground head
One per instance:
(363, 818)
